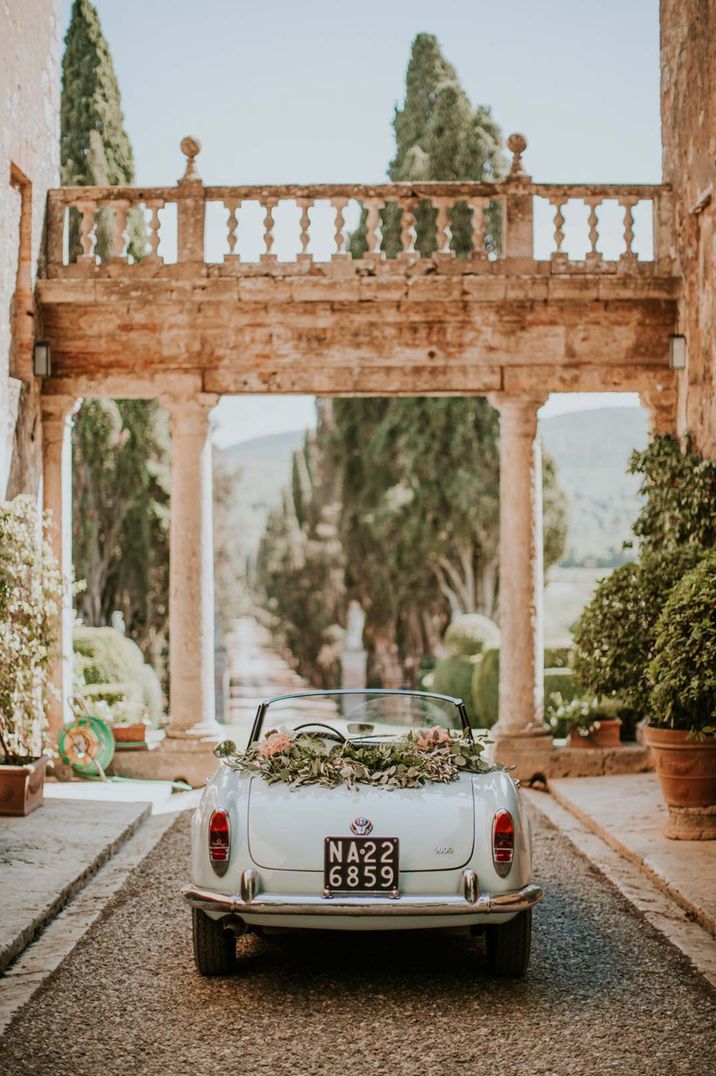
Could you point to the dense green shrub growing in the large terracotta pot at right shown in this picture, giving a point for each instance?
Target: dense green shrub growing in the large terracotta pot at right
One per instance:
(683, 668)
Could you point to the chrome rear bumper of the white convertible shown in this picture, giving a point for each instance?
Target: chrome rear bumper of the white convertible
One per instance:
(266, 904)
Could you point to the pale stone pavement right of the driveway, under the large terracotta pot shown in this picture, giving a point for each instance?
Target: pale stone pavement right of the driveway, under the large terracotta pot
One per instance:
(629, 814)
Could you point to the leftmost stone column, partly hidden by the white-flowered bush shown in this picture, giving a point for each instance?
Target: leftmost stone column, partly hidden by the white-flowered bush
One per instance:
(58, 413)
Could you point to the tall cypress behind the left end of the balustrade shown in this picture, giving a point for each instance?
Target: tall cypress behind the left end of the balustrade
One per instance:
(121, 475)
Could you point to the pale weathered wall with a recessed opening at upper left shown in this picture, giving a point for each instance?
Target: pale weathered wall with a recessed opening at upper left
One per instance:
(30, 165)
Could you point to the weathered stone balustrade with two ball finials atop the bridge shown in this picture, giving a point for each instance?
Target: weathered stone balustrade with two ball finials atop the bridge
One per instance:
(404, 222)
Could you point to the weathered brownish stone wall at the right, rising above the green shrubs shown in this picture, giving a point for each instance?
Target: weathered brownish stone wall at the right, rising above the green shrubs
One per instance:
(689, 123)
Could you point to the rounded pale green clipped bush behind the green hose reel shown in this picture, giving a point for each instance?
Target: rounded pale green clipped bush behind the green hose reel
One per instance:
(110, 667)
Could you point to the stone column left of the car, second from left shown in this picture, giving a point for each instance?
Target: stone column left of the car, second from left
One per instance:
(191, 570)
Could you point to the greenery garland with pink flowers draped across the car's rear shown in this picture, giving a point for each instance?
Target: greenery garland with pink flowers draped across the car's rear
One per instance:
(433, 755)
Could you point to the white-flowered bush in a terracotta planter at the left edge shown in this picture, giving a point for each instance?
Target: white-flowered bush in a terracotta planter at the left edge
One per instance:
(31, 600)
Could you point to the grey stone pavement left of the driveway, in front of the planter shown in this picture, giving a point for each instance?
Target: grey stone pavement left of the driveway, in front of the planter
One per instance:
(49, 857)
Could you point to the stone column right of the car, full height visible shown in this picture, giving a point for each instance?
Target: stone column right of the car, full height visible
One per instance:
(522, 681)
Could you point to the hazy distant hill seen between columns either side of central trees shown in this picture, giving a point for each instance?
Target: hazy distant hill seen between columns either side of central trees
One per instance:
(592, 450)
